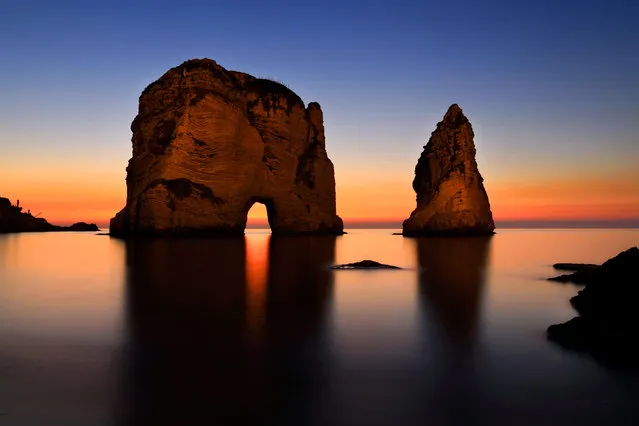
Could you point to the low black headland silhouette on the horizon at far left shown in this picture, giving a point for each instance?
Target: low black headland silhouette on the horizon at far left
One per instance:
(14, 220)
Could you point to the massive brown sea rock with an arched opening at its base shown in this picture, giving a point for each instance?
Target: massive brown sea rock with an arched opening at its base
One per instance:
(209, 143)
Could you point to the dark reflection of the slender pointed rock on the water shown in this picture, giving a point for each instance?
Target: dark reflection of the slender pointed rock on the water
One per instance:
(451, 282)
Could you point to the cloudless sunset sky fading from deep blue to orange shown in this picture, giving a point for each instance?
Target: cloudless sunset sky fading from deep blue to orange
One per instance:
(550, 88)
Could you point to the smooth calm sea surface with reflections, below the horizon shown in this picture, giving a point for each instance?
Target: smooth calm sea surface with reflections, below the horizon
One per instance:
(98, 331)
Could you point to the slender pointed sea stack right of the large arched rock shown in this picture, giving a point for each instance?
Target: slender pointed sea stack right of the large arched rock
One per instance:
(451, 198)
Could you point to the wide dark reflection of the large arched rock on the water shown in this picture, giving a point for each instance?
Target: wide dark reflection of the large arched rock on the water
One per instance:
(208, 344)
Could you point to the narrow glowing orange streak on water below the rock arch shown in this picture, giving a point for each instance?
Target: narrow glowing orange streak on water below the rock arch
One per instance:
(256, 278)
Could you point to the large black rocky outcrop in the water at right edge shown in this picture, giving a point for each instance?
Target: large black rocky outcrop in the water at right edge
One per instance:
(608, 325)
